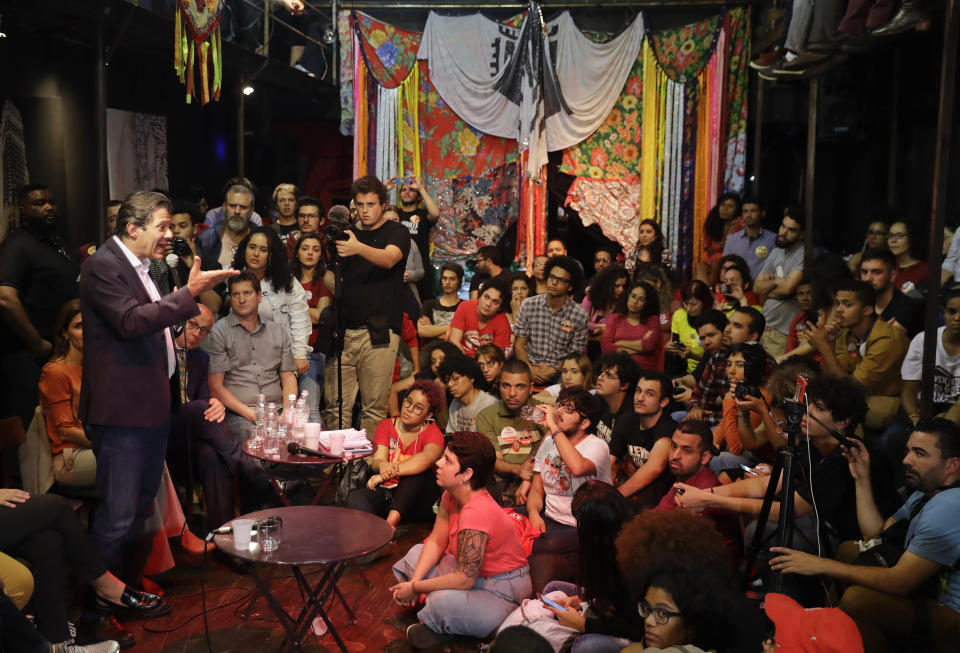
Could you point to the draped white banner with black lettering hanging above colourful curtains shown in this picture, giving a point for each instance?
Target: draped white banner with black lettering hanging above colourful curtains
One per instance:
(503, 81)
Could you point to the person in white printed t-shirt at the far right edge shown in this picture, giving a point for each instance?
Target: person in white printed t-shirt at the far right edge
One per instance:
(946, 372)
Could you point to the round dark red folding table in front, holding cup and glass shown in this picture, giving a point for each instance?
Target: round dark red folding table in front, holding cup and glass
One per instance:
(312, 535)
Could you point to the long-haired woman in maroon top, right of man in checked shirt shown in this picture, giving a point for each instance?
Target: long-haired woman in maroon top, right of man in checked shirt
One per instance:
(635, 327)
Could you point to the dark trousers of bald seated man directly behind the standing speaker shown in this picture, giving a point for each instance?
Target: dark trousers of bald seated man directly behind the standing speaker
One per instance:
(218, 459)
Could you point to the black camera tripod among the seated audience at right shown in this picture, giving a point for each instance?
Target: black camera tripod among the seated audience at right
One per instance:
(783, 468)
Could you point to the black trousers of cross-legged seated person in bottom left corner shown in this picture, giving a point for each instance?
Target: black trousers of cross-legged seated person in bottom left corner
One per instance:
(45, 532)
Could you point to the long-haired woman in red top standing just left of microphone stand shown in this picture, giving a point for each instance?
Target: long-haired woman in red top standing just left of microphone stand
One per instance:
(308, 267)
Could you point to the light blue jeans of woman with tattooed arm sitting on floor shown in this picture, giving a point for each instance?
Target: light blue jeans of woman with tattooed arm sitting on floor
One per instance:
(475, 612)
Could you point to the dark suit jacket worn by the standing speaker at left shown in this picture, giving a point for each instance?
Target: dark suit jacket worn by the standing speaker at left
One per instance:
(125, 376)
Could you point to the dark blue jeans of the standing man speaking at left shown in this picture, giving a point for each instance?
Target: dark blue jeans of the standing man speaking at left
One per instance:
(129, 467)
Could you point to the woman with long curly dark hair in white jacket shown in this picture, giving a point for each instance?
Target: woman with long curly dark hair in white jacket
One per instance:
(284, 301)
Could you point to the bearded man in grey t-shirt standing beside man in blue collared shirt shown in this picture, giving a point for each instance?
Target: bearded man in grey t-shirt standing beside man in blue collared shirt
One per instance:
(778, 280)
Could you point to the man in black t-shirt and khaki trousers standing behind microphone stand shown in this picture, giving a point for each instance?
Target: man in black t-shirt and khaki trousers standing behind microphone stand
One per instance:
(372, 257)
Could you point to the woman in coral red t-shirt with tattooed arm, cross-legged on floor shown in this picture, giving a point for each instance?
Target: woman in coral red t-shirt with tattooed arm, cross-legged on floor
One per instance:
(472, 566)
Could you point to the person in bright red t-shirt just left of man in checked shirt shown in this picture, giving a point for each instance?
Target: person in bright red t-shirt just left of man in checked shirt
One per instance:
(482, 321)
